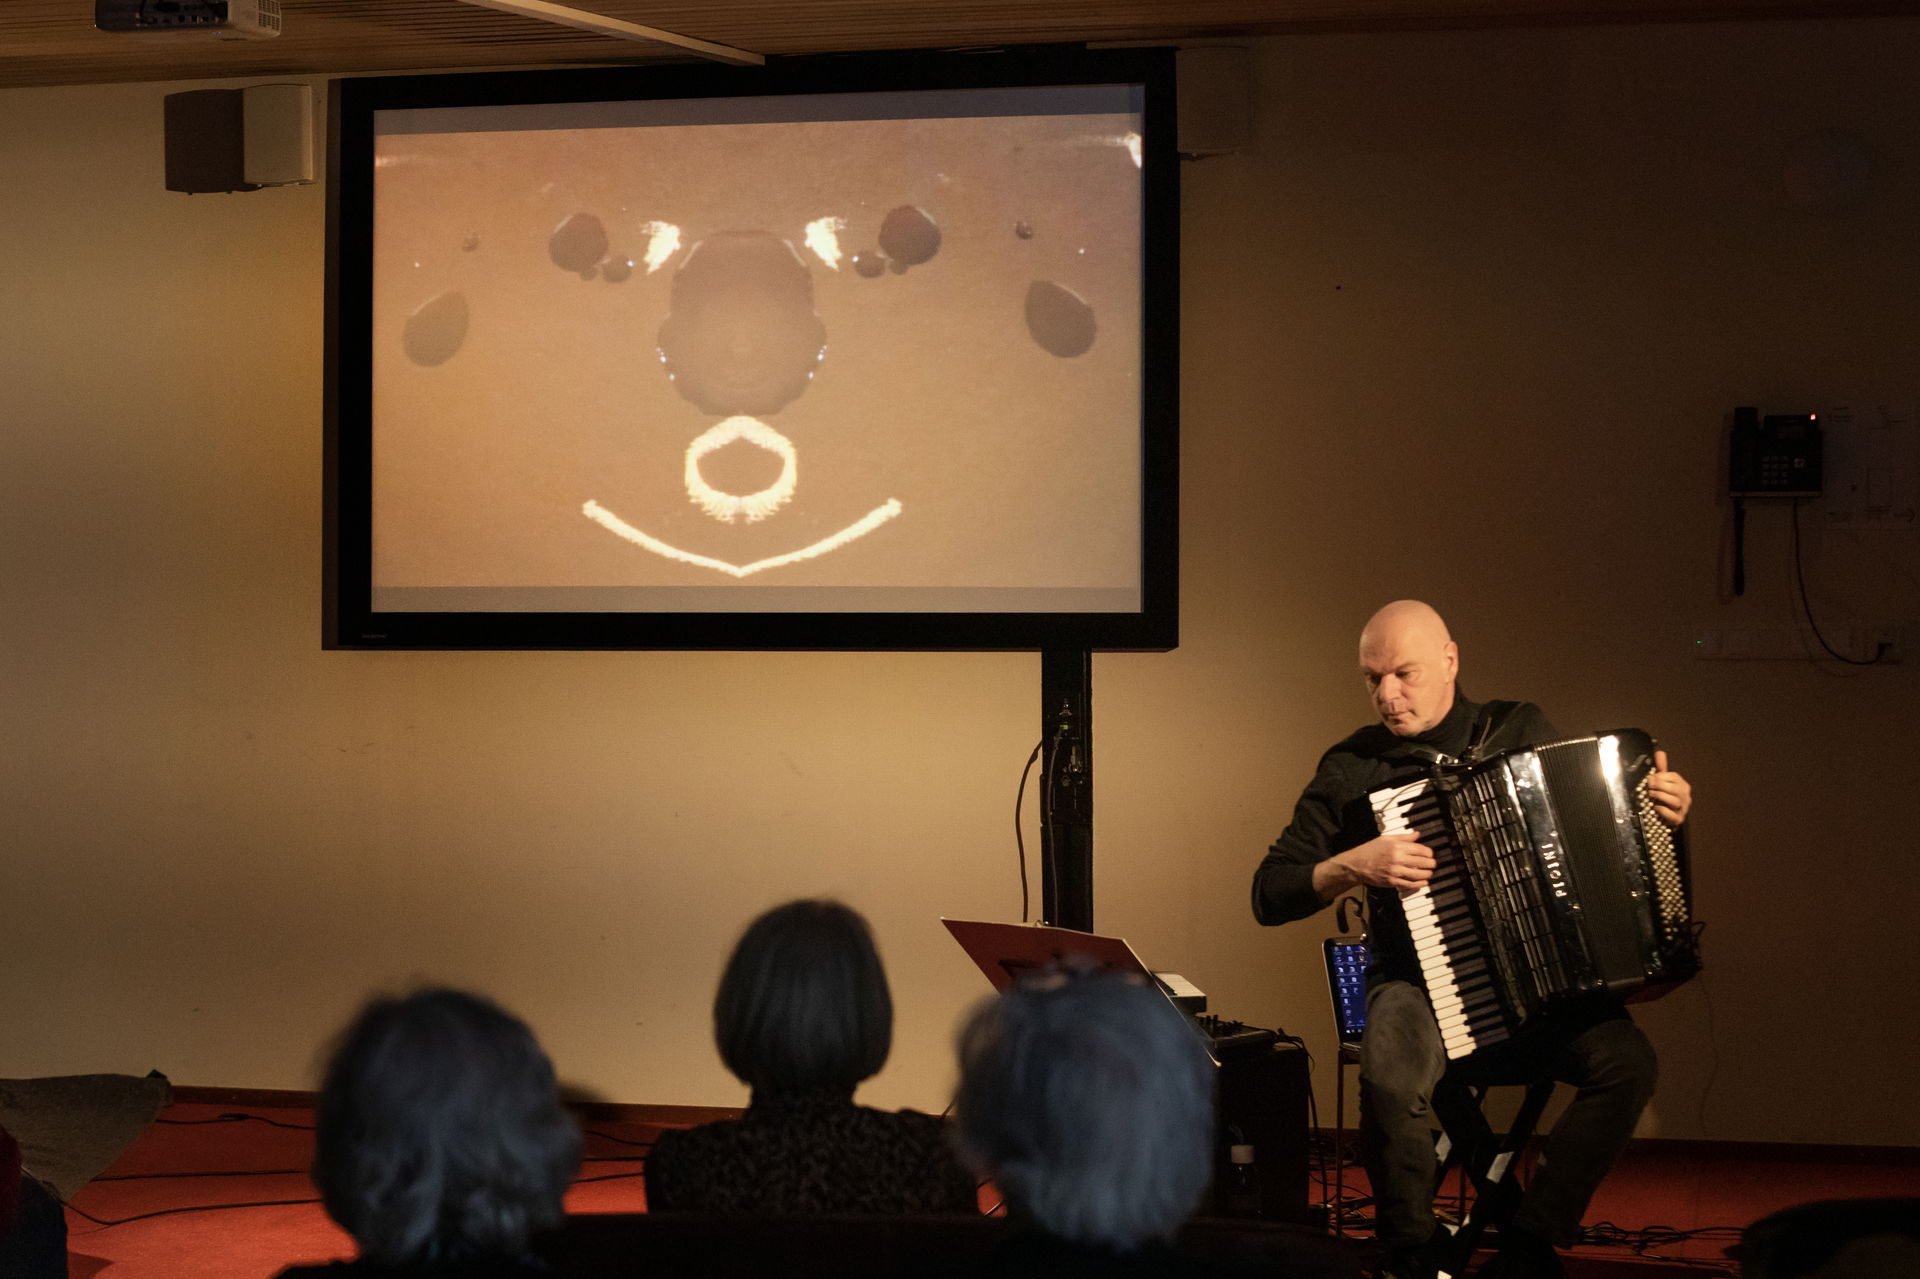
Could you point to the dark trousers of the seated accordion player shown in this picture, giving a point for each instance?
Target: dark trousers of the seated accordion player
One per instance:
(1593, 1046)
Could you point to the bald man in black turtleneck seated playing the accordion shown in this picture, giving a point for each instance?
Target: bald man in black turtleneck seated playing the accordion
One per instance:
(1412, 671)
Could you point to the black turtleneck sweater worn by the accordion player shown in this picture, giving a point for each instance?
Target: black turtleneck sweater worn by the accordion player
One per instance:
(1333, 815)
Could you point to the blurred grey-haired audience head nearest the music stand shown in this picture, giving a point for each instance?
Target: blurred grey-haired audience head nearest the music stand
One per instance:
(1090, 1101)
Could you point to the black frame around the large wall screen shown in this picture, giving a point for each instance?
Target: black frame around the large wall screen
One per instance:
(348, 617)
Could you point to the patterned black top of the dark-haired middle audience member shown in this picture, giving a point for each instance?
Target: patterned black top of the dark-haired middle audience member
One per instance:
(807, 1155)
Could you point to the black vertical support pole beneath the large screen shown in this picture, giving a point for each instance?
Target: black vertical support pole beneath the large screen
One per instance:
(1067, 788)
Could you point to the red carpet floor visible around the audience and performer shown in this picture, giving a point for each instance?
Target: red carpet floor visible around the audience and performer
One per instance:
(199, 1161)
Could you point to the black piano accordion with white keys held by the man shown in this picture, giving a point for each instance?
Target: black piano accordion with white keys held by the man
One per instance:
(1554, 879)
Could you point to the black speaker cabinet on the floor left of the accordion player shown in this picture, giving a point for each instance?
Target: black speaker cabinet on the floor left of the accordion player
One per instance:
(1262, 1103)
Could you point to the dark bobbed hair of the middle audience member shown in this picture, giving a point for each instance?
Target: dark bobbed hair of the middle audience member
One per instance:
(804, 1003)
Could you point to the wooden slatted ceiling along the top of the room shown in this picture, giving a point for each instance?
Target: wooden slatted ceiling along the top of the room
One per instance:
(55, 41)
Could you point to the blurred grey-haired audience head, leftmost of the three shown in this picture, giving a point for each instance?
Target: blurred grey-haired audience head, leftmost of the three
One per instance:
(441, 1132)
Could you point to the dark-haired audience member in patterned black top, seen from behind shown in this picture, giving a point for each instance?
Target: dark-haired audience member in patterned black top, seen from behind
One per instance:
(804, 1017)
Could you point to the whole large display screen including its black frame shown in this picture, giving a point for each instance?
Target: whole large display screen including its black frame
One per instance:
(746, 366)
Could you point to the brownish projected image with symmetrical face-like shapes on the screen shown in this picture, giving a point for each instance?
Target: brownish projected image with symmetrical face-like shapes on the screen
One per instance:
(807, 364)
